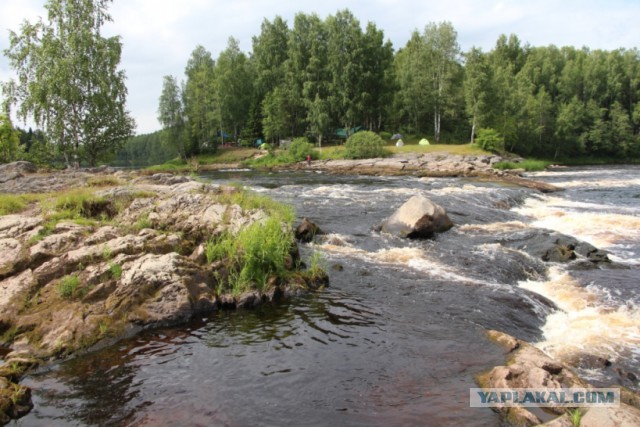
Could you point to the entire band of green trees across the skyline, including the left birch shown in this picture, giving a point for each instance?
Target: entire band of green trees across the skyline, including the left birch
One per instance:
(314, 77)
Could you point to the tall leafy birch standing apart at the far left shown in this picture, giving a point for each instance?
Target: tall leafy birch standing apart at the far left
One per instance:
(68, 80)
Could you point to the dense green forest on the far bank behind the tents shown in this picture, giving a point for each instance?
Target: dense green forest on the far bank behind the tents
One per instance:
(315, 76)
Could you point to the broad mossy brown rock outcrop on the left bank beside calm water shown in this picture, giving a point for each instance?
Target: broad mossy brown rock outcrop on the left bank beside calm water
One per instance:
(138, 261)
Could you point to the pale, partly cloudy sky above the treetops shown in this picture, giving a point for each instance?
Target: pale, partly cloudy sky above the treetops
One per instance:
(159, 35)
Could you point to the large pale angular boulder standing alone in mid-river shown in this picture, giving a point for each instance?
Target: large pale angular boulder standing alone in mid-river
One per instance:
(419, 217)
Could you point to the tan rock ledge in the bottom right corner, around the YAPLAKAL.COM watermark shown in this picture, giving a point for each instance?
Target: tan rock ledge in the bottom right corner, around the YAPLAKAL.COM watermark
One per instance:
(528, 367)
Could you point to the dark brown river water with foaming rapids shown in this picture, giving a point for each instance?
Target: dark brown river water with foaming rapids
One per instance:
(399, 335)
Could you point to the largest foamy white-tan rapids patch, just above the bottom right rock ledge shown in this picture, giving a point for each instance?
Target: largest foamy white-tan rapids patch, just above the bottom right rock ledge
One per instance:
(586, 323)
